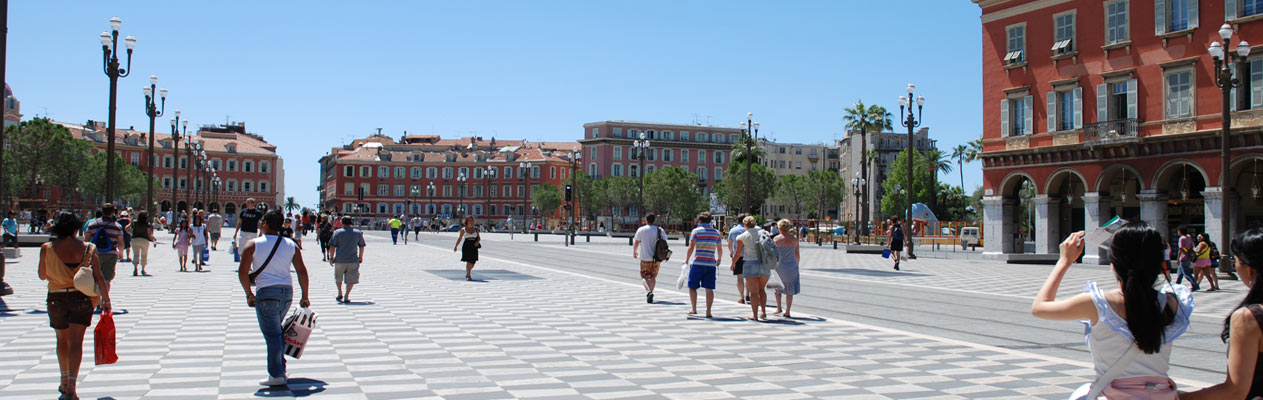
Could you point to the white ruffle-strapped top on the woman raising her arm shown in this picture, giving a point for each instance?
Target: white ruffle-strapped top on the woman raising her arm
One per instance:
(1111, 339)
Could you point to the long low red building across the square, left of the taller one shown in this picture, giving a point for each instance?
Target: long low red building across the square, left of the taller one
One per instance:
(378, 177)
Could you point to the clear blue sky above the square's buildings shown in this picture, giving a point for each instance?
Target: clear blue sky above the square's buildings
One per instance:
(314, 75)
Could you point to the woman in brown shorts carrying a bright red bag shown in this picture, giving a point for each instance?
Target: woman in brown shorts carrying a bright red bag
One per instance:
(70, 311)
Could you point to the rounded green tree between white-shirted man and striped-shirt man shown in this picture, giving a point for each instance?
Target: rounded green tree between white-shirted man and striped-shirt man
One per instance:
(674, 192)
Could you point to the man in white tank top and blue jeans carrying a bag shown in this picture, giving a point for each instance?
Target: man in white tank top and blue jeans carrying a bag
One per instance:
(266, 263)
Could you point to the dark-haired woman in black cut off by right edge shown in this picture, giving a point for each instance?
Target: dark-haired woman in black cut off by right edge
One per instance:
(1243, 329)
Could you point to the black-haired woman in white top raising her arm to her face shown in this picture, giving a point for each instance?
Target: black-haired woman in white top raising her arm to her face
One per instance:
(1135, 321)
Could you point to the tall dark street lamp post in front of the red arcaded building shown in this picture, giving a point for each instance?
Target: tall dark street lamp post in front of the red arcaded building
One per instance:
(1226, 81)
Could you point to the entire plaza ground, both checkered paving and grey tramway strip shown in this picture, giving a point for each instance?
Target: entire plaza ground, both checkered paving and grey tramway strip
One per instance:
(551, 322)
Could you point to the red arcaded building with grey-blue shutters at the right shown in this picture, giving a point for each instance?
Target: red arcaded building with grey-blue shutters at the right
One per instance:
(1108, 109)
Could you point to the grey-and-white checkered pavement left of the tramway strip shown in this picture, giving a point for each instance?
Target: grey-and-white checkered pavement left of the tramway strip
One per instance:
(522, 331)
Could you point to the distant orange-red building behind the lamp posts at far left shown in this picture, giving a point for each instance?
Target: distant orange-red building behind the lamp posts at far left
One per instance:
(248, 166)
